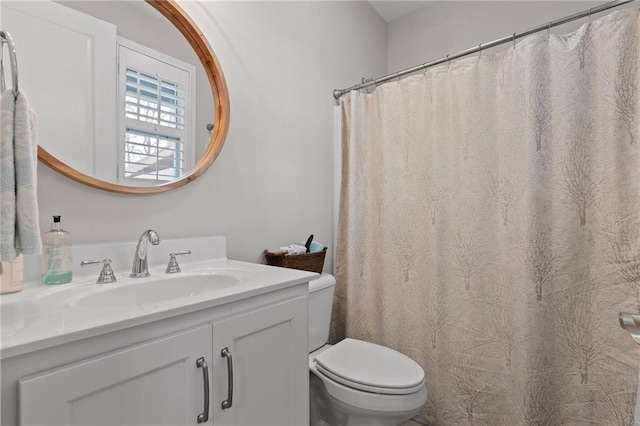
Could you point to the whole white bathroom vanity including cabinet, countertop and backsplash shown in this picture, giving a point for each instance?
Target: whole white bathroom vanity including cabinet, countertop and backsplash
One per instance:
(222, 342)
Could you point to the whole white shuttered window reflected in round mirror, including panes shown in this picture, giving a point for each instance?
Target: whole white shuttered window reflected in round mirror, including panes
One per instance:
(156, 107)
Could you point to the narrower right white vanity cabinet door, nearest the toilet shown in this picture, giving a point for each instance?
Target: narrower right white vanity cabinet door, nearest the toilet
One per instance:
(270, 367)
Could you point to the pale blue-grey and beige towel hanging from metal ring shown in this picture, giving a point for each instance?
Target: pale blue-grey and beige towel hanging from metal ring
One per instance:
(19, 220)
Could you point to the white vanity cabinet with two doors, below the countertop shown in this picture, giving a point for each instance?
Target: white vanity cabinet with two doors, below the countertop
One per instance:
(148, 374)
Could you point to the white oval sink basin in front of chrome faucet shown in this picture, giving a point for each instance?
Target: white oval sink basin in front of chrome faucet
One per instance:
(138, 292)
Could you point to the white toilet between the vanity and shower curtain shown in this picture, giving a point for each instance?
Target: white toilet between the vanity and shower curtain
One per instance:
(356, 383)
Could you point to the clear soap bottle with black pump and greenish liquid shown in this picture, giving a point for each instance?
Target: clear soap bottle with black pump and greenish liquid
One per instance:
(57, 264)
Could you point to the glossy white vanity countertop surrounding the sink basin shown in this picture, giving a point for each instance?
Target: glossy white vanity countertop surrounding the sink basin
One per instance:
(36, 318)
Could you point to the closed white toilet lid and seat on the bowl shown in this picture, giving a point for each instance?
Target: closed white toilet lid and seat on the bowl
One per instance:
(370, 367)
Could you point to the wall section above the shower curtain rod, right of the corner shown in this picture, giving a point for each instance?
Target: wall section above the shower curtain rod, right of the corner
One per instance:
(444, 28)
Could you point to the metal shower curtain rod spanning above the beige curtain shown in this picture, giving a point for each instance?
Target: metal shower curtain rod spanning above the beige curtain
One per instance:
(337, 93)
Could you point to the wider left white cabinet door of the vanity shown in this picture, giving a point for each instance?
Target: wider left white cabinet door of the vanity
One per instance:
(155, 383)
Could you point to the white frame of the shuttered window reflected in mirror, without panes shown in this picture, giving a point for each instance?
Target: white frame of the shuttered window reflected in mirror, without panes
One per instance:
(127, 49)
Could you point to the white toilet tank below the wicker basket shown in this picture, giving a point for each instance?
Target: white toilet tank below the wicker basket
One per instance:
(320, 305)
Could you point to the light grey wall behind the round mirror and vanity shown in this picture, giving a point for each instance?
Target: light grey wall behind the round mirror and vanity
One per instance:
(271, 184)
